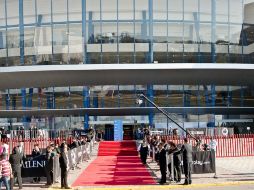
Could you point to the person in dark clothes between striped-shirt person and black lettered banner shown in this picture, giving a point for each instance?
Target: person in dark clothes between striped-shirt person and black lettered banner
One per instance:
(16, 162)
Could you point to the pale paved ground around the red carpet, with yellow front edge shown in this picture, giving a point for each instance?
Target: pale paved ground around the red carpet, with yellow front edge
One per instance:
(233, 174)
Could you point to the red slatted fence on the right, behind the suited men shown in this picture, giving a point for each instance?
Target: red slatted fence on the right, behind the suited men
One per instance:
(227, 146)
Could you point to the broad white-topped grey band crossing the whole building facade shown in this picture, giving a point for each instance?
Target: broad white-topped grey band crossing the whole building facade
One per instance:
(126, 74)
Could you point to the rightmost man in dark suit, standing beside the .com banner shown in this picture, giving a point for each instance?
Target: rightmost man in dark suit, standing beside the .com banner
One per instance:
(187, 161)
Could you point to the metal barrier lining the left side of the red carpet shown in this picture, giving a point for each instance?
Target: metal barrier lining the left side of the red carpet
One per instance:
(75, 157)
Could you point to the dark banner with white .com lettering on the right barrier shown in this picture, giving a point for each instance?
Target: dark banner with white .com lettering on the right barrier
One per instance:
(203, 162)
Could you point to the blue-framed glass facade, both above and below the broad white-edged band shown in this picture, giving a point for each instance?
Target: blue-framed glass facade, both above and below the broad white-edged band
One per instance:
(56, 32)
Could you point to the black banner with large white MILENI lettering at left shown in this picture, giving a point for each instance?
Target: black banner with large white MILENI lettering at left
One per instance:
(34, 167)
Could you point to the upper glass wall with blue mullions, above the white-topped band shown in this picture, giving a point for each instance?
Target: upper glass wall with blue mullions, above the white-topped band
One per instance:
(117, 31)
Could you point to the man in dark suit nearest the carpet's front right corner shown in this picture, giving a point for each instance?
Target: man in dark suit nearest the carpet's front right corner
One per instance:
(162, 163)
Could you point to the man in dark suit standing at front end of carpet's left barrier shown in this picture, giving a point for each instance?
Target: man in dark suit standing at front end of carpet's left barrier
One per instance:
(63, 161)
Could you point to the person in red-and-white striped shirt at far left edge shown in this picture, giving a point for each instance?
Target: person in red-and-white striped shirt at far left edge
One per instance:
(6, 172)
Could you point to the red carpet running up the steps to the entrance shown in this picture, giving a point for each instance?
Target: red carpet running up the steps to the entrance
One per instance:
(117, 164)
